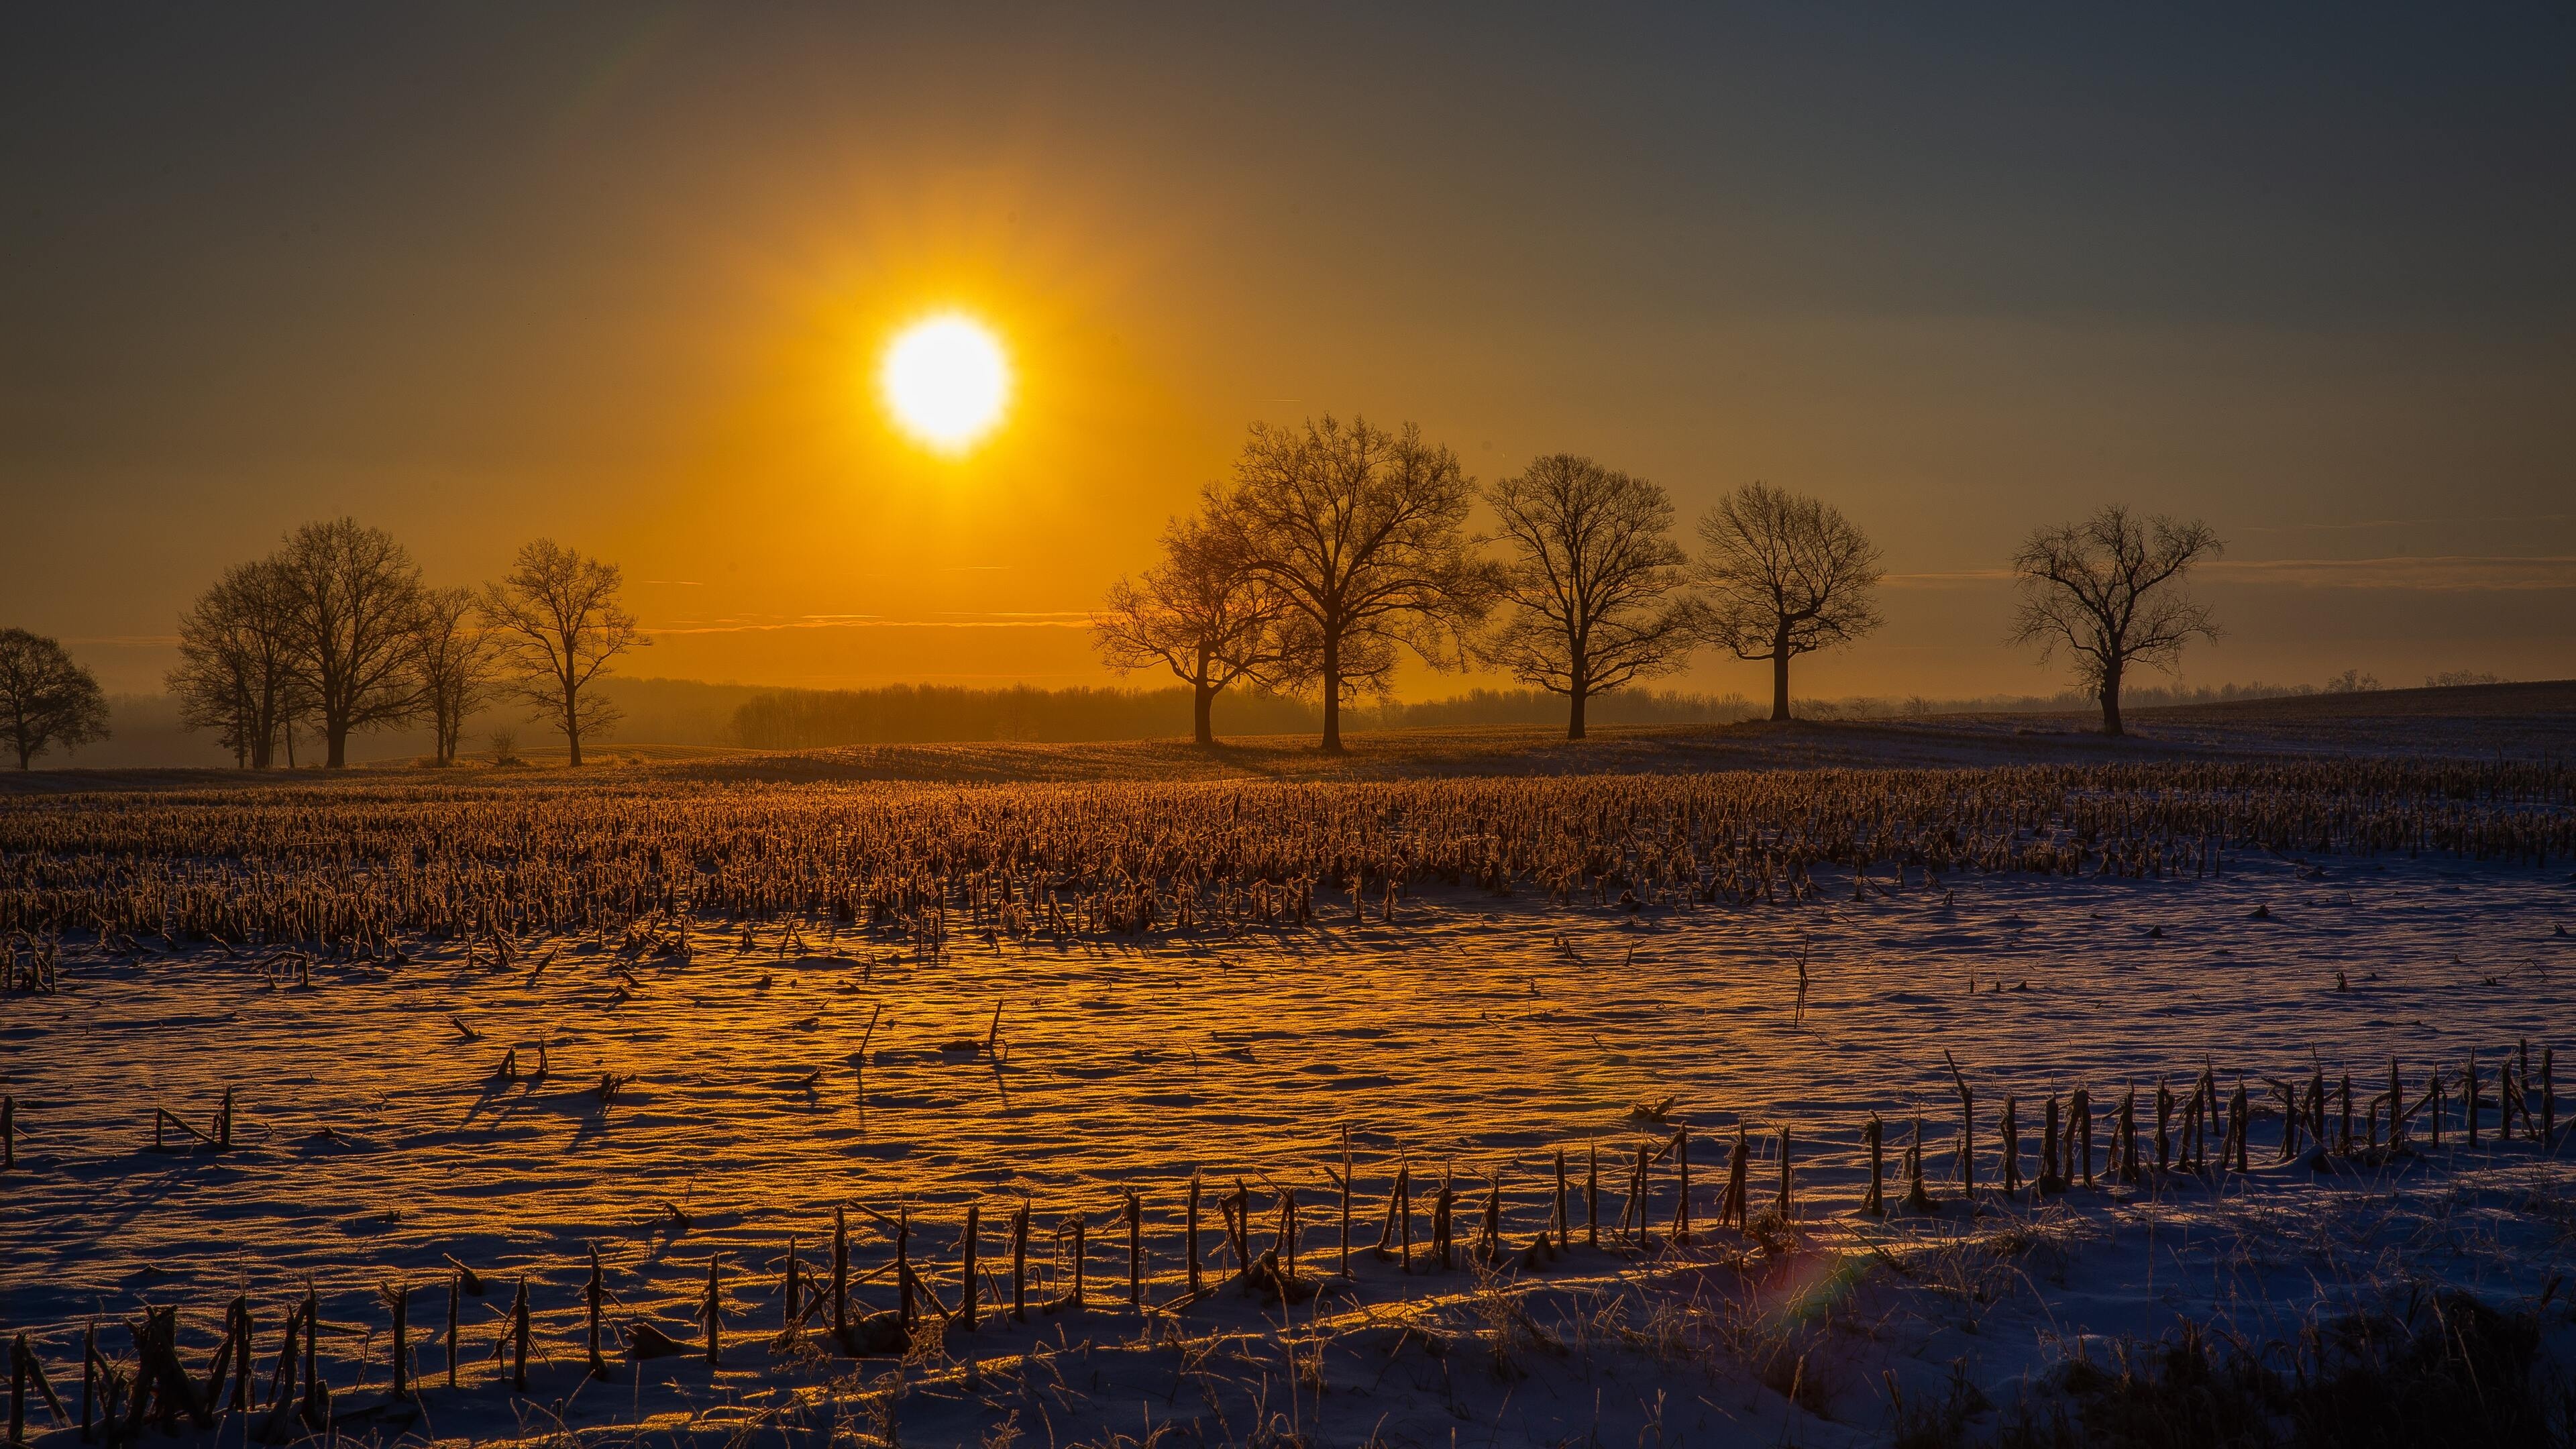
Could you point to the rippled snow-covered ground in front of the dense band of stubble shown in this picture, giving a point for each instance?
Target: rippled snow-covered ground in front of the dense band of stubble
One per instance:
(1472, 1038)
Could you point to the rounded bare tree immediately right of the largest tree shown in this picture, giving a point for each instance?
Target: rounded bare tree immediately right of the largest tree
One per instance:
(1593, 581)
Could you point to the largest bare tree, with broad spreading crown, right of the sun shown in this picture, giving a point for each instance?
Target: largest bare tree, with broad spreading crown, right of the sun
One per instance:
(1364, 540)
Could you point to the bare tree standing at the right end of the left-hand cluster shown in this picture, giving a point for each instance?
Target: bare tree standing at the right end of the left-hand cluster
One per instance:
(555, 628)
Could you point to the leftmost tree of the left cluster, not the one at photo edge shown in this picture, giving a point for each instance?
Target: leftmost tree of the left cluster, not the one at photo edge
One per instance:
(236, 672)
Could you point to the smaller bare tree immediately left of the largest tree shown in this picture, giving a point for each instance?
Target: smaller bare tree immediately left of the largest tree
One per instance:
(1197, 615)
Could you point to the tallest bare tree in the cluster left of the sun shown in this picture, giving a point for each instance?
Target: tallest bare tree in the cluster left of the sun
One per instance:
(352, 605)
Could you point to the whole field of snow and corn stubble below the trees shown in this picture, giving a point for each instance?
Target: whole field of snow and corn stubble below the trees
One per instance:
(687, 1012)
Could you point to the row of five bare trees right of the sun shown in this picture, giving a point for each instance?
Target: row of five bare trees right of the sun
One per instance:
(1338, 548)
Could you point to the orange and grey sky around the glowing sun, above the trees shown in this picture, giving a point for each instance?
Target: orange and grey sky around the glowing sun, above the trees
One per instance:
(620, 275)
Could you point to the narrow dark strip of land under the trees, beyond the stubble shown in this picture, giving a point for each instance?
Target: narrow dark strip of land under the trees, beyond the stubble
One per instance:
(2490, 721)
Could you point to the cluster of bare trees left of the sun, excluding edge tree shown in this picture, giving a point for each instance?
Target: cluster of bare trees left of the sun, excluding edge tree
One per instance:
(336, 633)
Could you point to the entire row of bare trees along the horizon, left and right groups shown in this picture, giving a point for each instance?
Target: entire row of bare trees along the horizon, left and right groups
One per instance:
(1333, 553)
